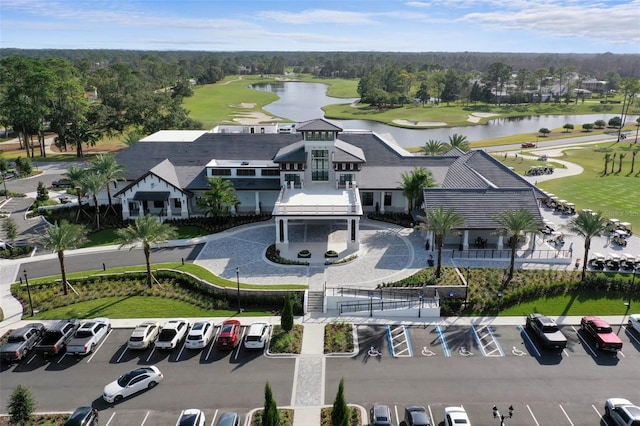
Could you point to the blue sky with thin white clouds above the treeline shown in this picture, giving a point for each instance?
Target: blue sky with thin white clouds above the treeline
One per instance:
(552, 26)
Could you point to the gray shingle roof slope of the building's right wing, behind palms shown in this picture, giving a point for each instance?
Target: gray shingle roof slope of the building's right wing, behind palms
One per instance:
(481, 206)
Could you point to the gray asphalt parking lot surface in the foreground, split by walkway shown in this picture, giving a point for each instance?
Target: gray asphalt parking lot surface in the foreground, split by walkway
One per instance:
(476, 367)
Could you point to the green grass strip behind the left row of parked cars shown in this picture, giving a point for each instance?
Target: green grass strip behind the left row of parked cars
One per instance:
(137, 307)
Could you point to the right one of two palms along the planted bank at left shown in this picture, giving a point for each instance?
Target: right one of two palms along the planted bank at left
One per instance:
(146, 230)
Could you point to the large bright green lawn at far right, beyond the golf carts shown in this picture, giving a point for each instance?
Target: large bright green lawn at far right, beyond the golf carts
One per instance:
(616, 195)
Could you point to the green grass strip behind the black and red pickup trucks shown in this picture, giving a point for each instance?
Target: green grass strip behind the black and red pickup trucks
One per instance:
(579, 304)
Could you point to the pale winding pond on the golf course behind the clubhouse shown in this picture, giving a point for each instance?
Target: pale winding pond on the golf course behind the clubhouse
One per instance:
(303, 101)
